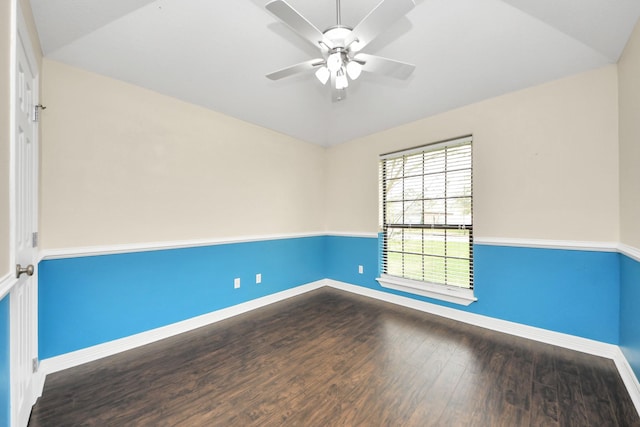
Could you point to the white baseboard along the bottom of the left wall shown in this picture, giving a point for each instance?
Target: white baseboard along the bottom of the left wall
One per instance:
(90, 354)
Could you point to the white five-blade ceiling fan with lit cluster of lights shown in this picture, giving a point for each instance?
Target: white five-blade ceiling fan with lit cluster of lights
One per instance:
(341, 46)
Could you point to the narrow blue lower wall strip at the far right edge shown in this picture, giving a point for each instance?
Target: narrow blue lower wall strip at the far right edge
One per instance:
(629, 312)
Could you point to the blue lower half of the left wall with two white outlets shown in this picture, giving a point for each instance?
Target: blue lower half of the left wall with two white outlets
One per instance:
(91, 300)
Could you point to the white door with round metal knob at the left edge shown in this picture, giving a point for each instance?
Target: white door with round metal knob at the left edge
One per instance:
(24, 295)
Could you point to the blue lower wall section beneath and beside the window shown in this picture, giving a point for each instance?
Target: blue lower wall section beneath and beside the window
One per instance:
(568, 291)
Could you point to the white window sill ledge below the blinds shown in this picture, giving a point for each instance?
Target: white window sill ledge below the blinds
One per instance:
(445, 293)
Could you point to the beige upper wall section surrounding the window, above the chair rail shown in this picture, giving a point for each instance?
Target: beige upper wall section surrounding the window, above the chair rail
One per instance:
(545, 162)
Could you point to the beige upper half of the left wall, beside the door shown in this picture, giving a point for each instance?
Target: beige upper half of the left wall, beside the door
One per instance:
(121, 164)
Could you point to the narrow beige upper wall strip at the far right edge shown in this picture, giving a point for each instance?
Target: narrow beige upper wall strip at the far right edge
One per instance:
(629, 98)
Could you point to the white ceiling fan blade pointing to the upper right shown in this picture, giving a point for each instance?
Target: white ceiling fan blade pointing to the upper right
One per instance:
(378, 20)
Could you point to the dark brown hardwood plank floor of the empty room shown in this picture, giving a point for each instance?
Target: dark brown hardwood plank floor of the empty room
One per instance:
(330, 358)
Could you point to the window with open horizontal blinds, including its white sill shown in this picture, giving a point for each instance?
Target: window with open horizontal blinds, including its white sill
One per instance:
(427, 221)
